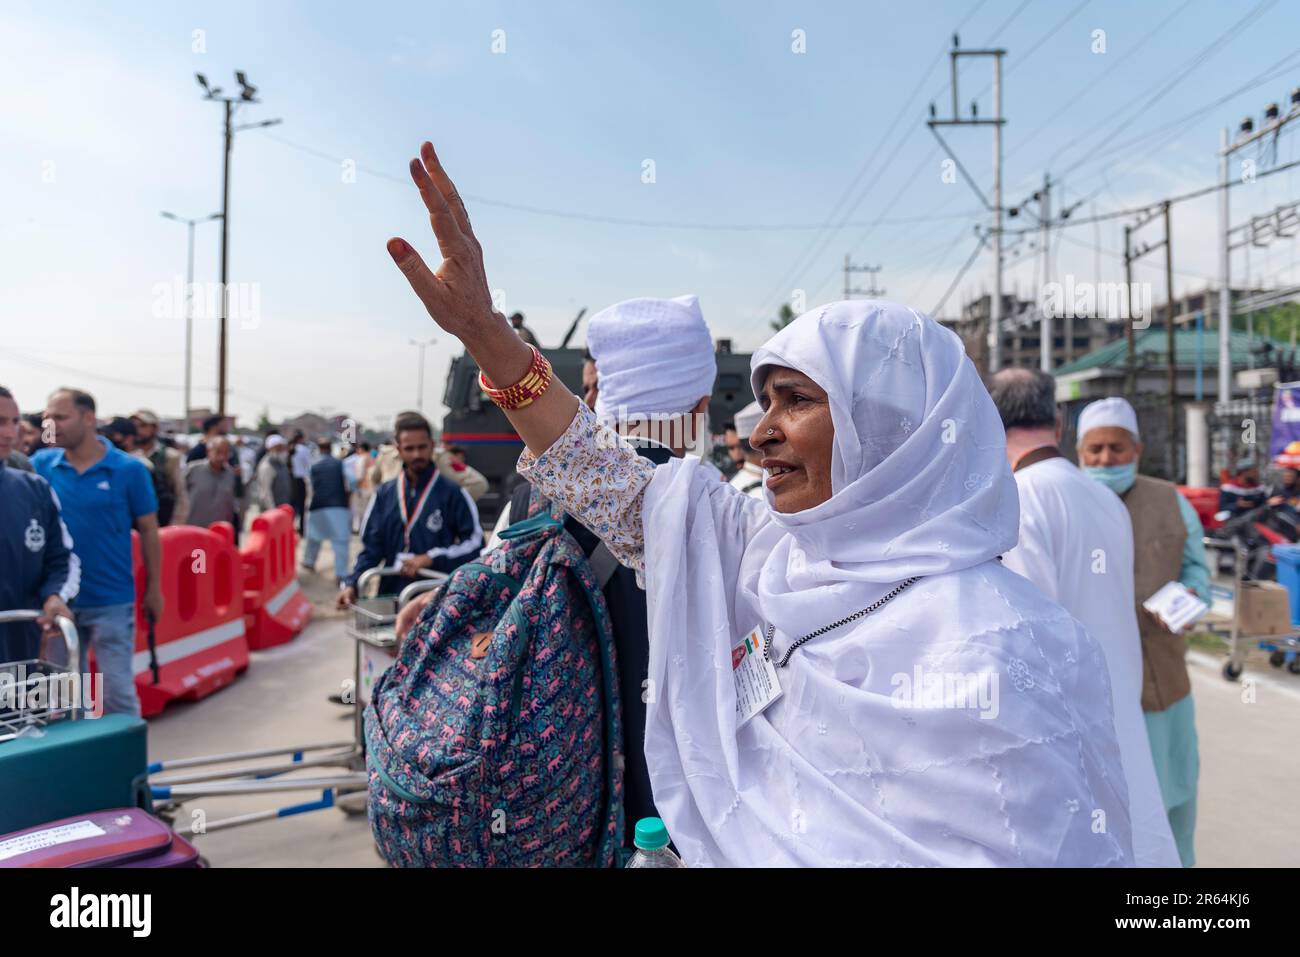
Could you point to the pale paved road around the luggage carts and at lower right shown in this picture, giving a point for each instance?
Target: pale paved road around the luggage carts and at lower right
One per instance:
(1250, 770)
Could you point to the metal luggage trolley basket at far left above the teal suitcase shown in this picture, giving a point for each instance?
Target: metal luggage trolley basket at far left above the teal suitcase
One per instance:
(59, 686)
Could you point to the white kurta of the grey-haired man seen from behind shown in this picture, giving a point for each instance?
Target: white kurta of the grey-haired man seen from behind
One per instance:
(1077, 547)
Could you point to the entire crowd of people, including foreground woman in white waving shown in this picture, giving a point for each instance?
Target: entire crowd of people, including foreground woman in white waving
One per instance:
(894, 525)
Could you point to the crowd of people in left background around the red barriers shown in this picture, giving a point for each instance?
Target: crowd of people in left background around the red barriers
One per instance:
(75, 492)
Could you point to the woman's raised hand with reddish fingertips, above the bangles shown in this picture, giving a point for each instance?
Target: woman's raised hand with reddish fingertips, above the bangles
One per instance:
(457, 293)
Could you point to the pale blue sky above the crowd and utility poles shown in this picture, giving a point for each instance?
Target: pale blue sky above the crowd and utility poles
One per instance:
(105, 127)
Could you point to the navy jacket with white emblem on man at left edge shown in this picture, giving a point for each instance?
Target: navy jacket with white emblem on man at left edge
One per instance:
(37, 557)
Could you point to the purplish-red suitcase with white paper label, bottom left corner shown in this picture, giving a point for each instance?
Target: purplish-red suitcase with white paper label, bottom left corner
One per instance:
(116, 838)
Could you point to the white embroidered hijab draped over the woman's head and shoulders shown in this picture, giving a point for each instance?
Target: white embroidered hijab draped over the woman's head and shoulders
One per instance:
(842, 770)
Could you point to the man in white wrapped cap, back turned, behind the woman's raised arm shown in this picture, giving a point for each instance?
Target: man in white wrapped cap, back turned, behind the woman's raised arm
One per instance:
(656, 367)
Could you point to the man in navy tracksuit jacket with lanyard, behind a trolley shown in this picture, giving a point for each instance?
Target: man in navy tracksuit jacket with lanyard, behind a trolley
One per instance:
(418, 521)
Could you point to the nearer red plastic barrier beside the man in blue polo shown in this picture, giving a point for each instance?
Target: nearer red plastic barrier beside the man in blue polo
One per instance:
(200, 642)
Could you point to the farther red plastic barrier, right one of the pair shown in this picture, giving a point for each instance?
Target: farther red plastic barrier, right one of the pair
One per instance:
(275, 607)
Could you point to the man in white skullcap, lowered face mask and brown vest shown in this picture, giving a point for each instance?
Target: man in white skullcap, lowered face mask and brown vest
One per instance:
(1167, 548)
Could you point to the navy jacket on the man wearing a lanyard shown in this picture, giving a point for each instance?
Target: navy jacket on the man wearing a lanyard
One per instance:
(447, 529)
